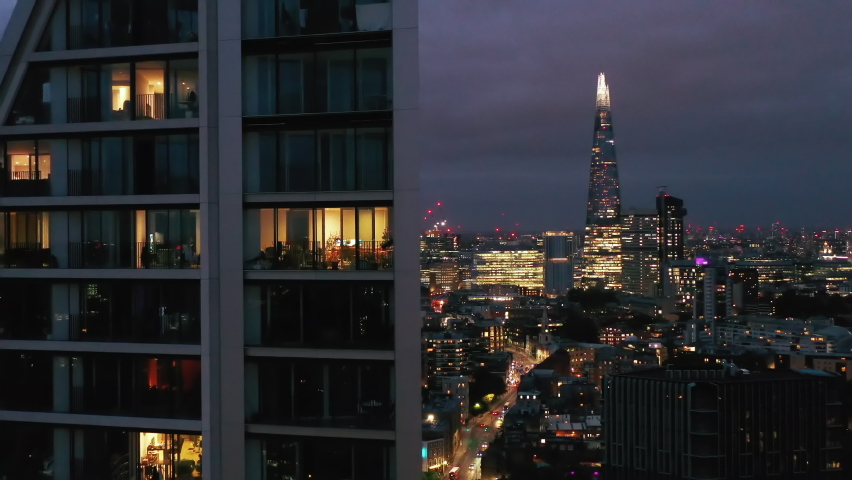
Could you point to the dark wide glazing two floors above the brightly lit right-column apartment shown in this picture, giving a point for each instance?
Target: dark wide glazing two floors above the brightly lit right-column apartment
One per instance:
(318, 82)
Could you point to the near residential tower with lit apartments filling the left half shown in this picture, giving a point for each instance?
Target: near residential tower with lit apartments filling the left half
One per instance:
(209, 240)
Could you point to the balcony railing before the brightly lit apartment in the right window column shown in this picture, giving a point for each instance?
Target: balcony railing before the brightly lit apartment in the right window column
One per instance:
(369, 255)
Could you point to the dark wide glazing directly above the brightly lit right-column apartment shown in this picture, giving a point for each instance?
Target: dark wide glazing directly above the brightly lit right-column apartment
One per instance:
(317, 160)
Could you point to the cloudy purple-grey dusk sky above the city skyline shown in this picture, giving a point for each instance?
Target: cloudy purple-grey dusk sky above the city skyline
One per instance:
(743, 109)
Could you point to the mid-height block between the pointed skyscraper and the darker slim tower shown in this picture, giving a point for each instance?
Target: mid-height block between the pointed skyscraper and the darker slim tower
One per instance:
(639, 252)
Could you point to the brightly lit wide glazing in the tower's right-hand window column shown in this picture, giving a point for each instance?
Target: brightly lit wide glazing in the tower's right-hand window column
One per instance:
(348, 238)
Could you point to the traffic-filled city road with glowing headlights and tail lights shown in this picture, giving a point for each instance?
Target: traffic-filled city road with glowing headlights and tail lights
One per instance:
(472, 441)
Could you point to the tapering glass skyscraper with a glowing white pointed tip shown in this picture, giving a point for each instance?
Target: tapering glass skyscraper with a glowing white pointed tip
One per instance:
(602, 242)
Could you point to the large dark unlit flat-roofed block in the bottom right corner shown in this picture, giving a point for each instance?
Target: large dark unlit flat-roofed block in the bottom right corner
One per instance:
(720, 422)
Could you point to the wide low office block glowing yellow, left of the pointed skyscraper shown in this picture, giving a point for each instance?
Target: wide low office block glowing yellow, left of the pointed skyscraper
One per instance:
(521, 268)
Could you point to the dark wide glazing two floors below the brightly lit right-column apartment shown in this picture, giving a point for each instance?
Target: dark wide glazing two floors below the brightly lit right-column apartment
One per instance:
(318, 392)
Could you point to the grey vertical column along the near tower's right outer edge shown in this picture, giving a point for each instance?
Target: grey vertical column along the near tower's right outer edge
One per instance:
(406, 149)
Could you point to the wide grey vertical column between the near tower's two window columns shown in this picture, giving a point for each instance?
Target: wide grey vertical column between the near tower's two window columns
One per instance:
(220, 58)
